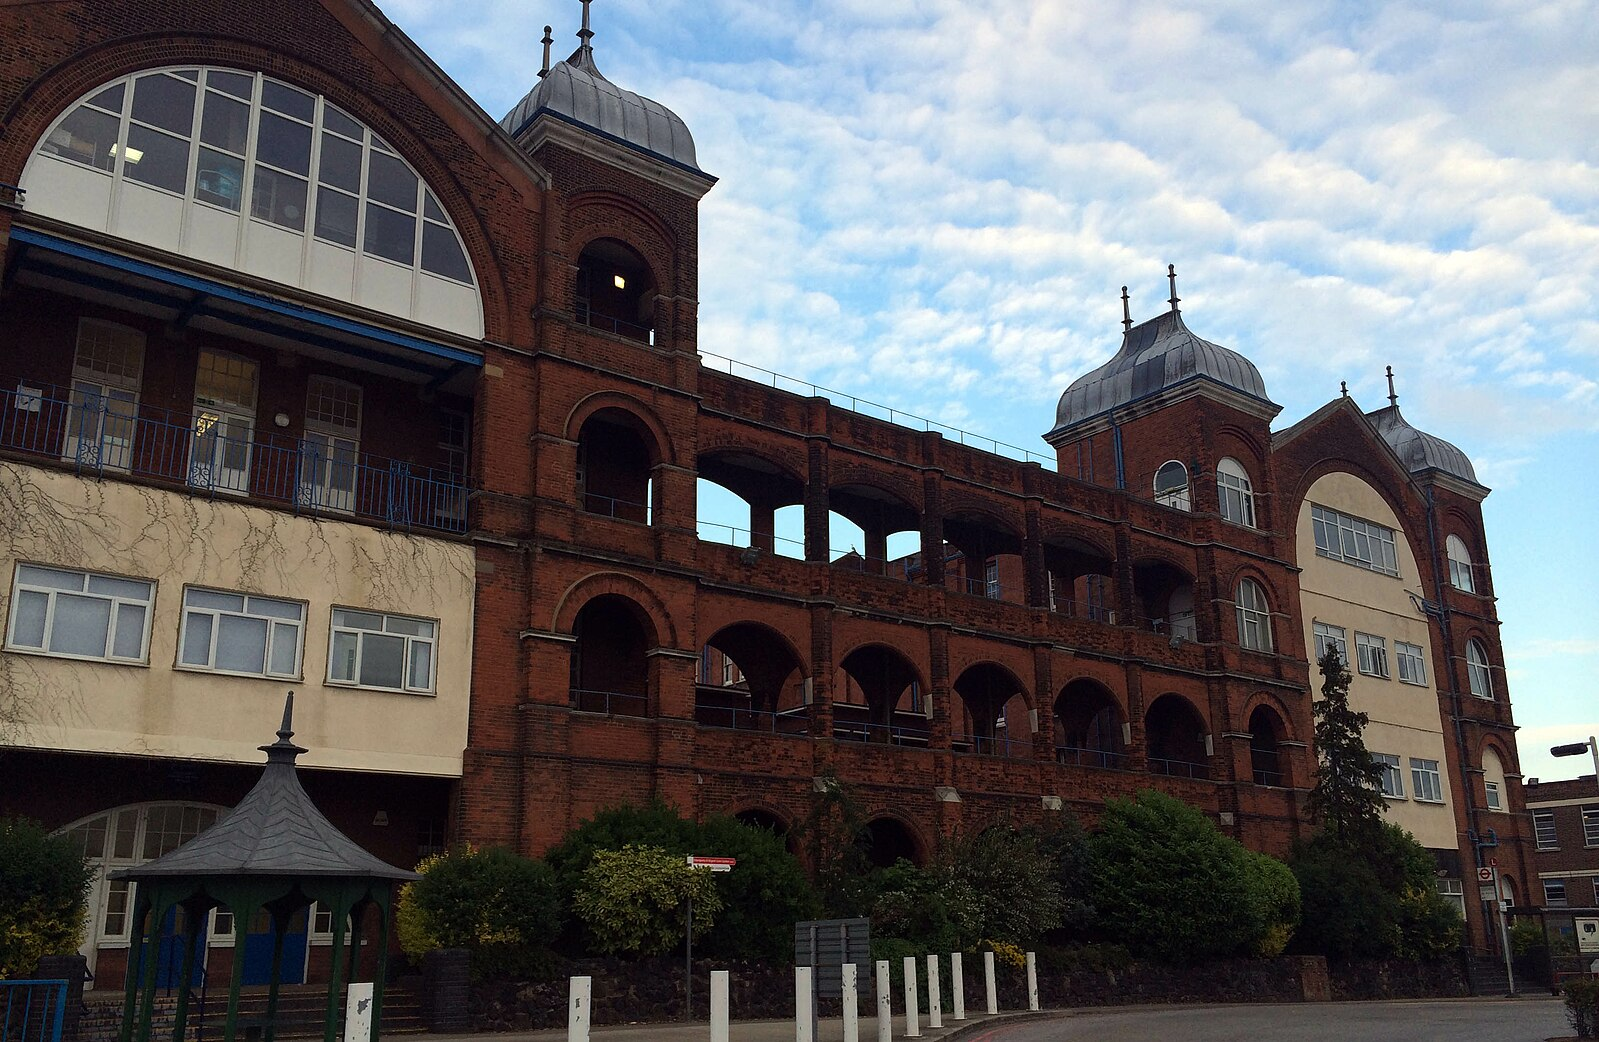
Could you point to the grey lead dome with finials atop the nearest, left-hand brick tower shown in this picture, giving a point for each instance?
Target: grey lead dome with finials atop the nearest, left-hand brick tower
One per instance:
(576, 93)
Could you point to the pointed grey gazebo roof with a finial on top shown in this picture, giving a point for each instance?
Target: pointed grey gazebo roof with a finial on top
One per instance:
(274, 832)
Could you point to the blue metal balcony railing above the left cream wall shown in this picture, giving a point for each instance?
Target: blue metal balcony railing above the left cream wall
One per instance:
(220, 455)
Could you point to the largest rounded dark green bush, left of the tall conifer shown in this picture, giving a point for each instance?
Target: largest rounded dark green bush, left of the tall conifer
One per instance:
(1170, 886)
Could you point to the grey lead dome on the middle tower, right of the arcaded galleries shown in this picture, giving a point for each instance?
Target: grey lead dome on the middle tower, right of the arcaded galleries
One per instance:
(1155, 357)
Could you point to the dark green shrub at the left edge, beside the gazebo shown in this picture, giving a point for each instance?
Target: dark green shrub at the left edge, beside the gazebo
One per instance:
(44, 896)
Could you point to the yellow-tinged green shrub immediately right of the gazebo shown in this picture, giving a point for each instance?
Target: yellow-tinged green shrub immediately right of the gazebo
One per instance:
(503, 909)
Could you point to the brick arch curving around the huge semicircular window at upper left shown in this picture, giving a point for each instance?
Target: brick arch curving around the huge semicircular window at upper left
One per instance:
(47, 98)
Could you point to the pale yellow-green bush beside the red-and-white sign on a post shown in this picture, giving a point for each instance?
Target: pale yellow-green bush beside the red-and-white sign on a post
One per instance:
(636, 901)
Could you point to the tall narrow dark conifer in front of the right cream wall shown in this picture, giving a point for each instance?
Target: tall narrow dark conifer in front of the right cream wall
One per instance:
(1349, 792)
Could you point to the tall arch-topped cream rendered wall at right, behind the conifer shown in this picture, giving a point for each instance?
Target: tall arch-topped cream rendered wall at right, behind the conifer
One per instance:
(1405, 718)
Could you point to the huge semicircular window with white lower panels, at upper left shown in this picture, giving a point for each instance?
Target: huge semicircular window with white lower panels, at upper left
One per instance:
(250, 173)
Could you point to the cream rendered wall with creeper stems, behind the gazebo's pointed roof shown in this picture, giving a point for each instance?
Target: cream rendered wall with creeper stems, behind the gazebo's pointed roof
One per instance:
(175, 539)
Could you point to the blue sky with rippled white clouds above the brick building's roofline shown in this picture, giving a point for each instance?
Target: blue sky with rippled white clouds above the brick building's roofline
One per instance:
(935, 204)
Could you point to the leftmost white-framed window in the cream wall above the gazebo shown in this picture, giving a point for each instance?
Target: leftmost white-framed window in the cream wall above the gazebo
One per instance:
(81, 614)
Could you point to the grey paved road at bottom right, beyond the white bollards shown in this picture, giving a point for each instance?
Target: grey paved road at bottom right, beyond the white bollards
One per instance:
(1459, 1020)
